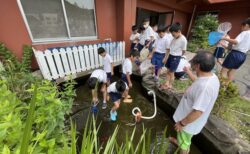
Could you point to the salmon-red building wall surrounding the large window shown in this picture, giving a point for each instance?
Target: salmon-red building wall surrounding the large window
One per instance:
(14, 34)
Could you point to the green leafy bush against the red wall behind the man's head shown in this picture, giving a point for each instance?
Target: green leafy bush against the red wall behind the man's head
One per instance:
(202, 26)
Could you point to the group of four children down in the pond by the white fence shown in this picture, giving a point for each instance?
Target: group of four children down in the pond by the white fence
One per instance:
(112, 91)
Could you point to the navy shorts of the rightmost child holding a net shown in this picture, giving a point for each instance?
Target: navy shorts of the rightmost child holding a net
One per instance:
(234, 59)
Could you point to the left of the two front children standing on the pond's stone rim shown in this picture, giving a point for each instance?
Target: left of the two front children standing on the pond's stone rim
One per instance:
(160, 47)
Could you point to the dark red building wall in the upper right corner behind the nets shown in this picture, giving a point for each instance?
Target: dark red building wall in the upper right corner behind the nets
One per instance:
(234, 12)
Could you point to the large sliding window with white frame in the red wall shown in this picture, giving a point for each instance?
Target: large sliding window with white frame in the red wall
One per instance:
(57, 20)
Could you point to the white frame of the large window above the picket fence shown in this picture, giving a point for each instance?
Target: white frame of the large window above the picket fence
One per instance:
(69, 38)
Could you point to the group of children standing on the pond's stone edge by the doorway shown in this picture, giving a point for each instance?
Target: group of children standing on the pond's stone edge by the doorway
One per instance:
(166, 47)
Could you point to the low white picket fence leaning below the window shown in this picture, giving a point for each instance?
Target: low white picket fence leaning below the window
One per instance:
(62, 62)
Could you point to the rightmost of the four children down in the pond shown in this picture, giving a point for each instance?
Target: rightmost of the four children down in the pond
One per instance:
(127, 68)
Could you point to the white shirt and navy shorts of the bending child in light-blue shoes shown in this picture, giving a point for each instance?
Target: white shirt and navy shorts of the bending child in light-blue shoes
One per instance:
(113, 93)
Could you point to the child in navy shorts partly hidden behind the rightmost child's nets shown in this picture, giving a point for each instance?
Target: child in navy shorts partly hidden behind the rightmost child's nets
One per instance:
(220, 49)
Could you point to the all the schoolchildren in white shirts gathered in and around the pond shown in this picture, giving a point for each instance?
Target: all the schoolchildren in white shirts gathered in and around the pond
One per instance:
(166, 48)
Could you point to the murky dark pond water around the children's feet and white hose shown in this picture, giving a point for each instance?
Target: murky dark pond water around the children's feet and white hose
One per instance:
(157, 124)
